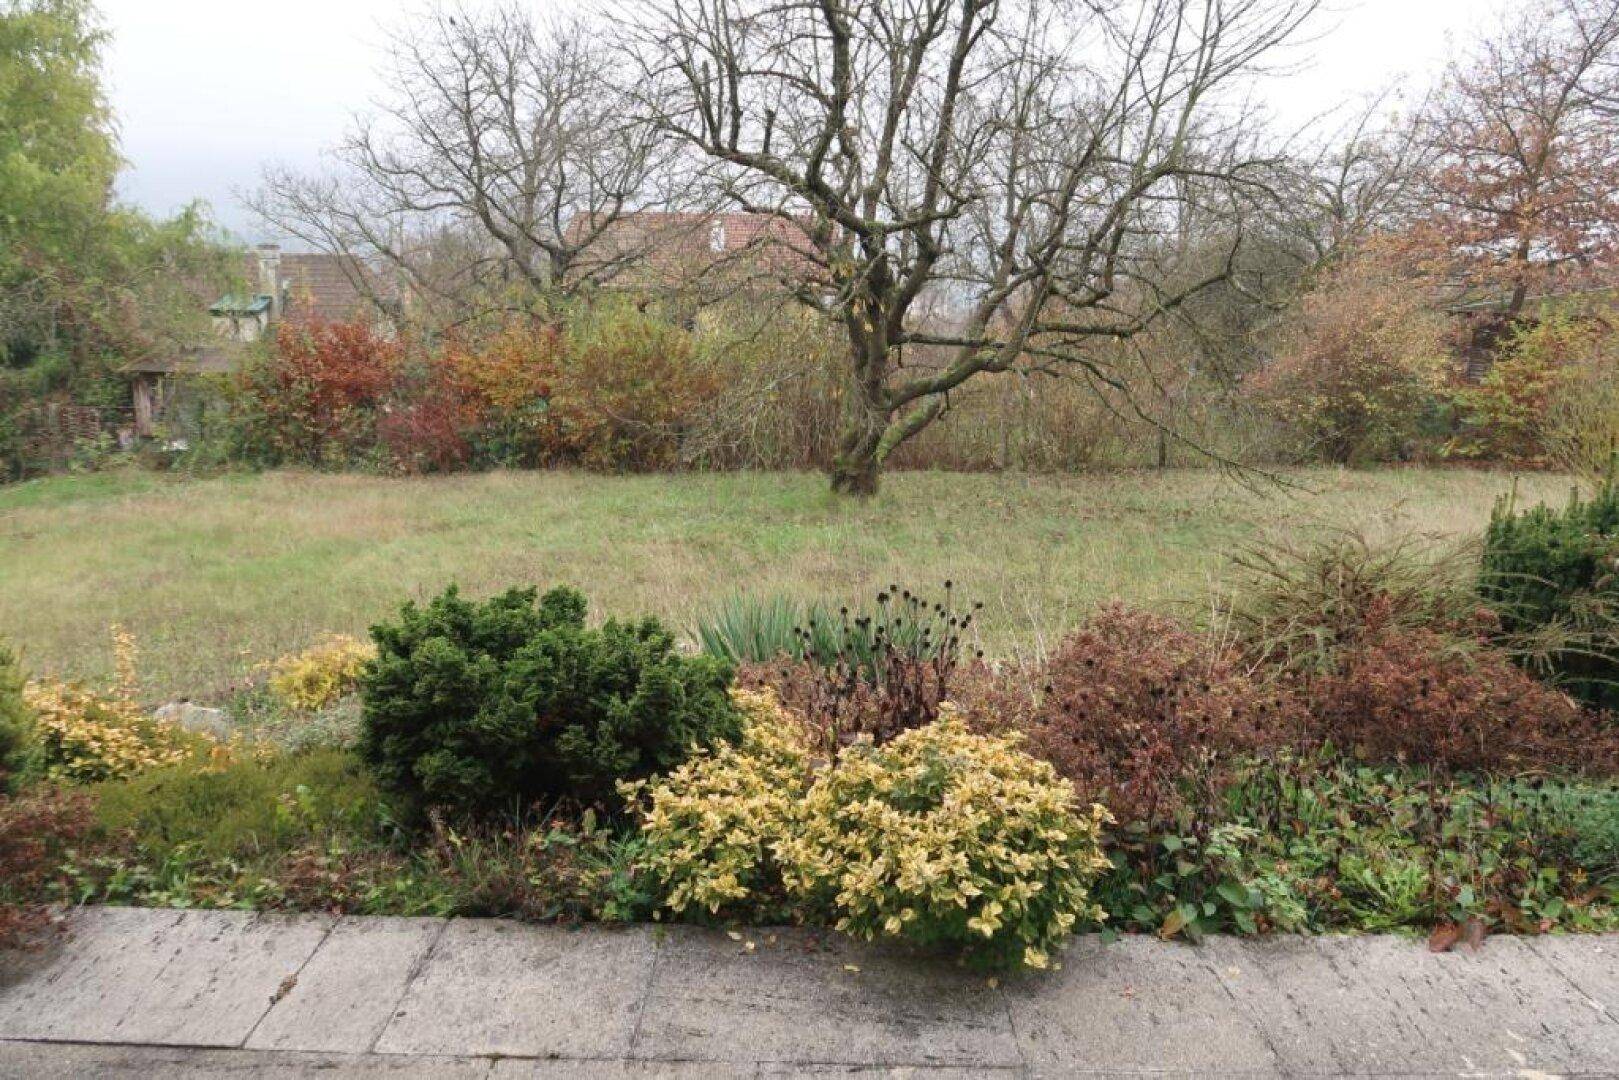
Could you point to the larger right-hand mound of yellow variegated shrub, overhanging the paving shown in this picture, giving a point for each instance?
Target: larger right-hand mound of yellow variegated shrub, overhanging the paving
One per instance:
(945, 838)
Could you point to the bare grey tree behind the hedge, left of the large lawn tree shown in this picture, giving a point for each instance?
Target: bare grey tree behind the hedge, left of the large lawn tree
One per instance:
(501, 155)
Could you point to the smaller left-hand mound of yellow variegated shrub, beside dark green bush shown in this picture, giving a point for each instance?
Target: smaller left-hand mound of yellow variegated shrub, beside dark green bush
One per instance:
(710, 825)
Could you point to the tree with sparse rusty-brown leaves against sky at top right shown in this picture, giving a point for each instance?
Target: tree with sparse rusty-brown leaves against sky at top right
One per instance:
(1524, 185)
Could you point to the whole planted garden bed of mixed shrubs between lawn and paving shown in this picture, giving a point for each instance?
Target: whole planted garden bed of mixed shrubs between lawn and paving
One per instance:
(1366, 738)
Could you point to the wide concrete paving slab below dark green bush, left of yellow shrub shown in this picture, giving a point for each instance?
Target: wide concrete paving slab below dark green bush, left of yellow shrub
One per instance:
(538, 992)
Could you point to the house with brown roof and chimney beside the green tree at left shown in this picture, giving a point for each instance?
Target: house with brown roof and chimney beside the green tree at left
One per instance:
(281, 287)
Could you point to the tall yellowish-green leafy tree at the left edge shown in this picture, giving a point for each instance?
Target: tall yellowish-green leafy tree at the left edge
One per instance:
(85, 284)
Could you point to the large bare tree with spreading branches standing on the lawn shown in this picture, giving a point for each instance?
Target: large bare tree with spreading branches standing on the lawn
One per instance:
(1022, 161)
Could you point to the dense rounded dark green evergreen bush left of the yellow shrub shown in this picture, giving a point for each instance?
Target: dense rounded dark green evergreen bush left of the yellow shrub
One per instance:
(498, 705)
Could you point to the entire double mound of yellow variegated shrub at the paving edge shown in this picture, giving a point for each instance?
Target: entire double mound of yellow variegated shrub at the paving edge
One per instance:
(941, 836)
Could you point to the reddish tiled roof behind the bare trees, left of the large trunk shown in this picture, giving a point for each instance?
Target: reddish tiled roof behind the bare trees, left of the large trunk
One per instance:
(673, 250)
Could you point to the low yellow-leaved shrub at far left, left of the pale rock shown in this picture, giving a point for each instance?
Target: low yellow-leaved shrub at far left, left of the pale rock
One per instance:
(91, 738)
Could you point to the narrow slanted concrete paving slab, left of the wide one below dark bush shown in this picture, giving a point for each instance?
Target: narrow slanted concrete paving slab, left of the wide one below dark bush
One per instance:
(349, 990)
